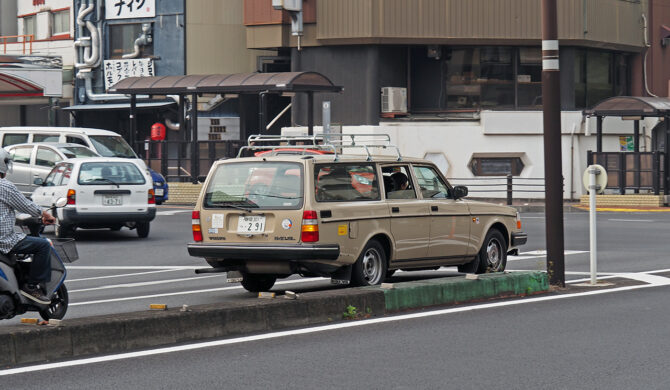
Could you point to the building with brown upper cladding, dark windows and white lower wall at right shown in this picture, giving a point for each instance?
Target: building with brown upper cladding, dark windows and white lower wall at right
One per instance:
(459, 82)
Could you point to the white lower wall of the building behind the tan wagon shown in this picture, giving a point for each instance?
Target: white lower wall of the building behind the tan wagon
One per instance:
(504, 132)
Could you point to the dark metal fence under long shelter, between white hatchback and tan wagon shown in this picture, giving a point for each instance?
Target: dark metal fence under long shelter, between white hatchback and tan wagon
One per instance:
(174, 160)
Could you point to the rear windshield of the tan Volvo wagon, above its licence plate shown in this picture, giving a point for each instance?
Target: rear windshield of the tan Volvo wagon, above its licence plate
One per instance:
(252, 185)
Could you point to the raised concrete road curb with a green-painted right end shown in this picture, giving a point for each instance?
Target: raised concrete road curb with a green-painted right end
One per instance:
(23, 344)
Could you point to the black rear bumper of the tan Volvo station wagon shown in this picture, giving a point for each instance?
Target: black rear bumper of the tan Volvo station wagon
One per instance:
(266, 252)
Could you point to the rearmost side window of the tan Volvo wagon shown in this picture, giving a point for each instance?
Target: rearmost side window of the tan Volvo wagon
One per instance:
(345, 182)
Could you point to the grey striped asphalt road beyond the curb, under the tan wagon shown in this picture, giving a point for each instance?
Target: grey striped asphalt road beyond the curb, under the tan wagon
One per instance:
(119, 272)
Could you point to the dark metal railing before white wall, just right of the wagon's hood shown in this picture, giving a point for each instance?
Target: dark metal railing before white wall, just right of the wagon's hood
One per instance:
(509, 184)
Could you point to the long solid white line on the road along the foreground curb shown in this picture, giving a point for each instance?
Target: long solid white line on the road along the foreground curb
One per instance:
(317, 329)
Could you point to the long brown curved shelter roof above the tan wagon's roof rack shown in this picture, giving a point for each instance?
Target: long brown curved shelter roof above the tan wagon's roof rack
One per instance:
(226, 83)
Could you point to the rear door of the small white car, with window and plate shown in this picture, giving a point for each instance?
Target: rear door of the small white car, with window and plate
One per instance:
(111, 187)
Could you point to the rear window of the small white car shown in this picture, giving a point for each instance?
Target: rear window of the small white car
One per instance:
(105, 173)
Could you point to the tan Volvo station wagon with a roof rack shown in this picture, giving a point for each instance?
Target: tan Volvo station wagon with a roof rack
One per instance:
(355, 218)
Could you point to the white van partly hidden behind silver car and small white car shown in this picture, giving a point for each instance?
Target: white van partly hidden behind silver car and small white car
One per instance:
(106, 143)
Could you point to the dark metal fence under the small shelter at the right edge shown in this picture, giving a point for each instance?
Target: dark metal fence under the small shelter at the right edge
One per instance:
(631, 170)
